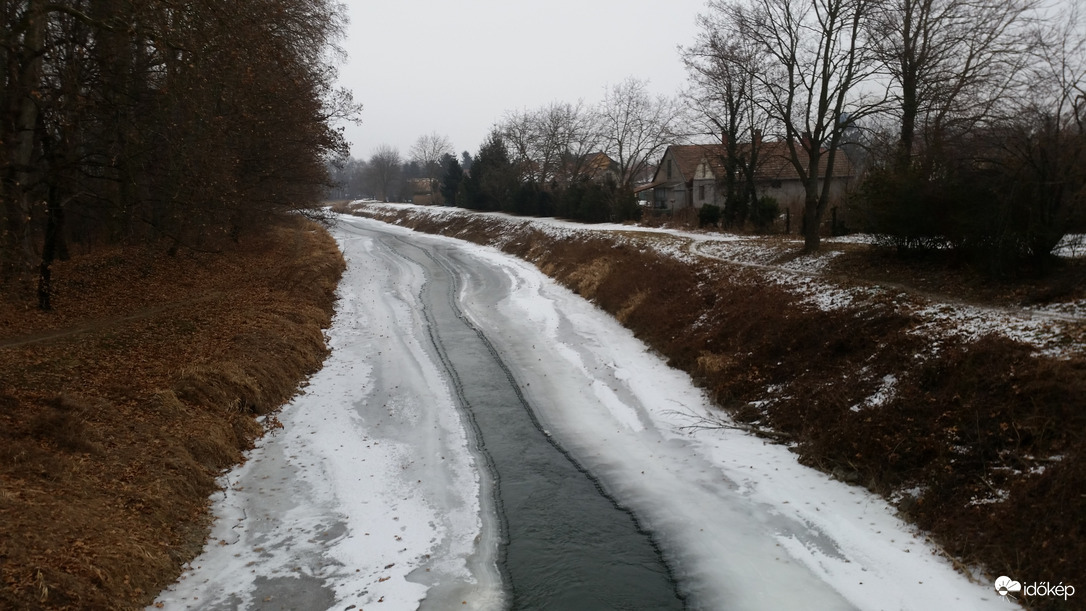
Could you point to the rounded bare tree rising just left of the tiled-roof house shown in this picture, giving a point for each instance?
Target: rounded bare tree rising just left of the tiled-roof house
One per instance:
(636, 128)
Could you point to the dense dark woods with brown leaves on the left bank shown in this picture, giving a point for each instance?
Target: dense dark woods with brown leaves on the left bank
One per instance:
(128, 121)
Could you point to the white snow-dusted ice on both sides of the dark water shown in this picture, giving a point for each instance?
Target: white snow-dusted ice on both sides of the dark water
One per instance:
(371, 493)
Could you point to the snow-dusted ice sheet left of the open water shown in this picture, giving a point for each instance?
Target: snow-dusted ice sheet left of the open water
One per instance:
(369, 494)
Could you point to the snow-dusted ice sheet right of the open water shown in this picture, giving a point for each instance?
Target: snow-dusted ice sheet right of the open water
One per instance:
(744, 525)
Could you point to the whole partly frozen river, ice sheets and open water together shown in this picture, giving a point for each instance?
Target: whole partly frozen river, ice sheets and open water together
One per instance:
(483, 439)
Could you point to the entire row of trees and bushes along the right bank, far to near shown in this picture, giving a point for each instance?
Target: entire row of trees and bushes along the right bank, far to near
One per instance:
(963, 120)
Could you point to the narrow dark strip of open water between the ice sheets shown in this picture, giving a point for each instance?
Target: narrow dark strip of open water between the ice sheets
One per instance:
(565, 544)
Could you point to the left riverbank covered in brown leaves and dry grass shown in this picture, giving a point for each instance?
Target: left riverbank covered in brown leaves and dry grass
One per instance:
(119, 411)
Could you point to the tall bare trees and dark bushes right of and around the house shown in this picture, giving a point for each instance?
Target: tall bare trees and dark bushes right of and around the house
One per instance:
(966, 116)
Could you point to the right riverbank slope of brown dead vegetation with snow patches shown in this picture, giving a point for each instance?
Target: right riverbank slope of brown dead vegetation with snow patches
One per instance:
(980, 443)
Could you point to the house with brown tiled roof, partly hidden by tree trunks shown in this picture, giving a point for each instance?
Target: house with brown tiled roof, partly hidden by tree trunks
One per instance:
(690, 176)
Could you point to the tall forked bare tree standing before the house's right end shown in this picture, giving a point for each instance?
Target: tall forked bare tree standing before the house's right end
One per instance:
(816, 59)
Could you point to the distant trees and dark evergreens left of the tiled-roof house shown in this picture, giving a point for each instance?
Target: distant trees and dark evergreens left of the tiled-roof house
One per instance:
(573, 160)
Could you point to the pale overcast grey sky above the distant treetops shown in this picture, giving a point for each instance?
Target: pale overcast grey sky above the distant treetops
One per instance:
(456, 68)
